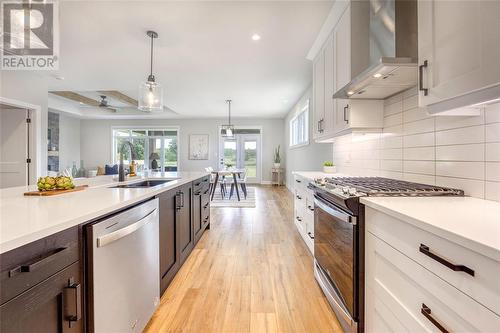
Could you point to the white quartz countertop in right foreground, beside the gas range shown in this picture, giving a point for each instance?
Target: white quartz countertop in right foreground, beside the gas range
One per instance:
(470, 222)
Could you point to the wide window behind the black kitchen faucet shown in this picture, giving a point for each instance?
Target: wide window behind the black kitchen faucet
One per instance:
(156, 149)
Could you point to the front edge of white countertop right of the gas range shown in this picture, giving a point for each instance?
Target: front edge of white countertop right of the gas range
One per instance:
(471, 244)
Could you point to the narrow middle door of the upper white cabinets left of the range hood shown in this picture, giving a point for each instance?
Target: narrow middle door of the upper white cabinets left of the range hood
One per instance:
(327, 126)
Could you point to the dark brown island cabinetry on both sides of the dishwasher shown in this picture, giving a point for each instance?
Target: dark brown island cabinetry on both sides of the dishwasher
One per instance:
(41, 283)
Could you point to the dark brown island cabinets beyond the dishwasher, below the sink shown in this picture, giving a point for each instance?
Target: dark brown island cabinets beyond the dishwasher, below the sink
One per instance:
(182, 222)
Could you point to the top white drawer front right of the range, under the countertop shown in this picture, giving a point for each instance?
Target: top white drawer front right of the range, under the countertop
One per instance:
(436, 254)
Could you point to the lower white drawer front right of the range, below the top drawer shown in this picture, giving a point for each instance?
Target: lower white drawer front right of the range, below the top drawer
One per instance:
(407, 290)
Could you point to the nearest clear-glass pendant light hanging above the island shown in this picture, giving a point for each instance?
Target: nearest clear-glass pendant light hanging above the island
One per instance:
(151, 92)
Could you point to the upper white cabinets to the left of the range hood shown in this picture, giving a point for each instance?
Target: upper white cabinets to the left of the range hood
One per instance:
(343, 55)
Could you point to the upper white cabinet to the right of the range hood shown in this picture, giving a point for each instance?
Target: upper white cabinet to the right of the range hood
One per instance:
(459, 53)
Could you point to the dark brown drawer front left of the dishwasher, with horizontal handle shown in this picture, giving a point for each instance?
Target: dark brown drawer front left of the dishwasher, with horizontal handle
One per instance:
(24, 267)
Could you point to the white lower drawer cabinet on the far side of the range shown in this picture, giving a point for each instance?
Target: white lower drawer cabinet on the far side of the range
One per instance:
(304, 208)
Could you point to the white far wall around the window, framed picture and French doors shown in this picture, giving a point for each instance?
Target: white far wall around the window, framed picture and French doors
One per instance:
(96, 147)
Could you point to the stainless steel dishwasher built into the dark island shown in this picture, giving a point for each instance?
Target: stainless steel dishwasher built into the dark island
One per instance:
(124, 286)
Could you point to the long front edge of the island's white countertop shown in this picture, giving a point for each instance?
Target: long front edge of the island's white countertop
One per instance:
(15, 243)
